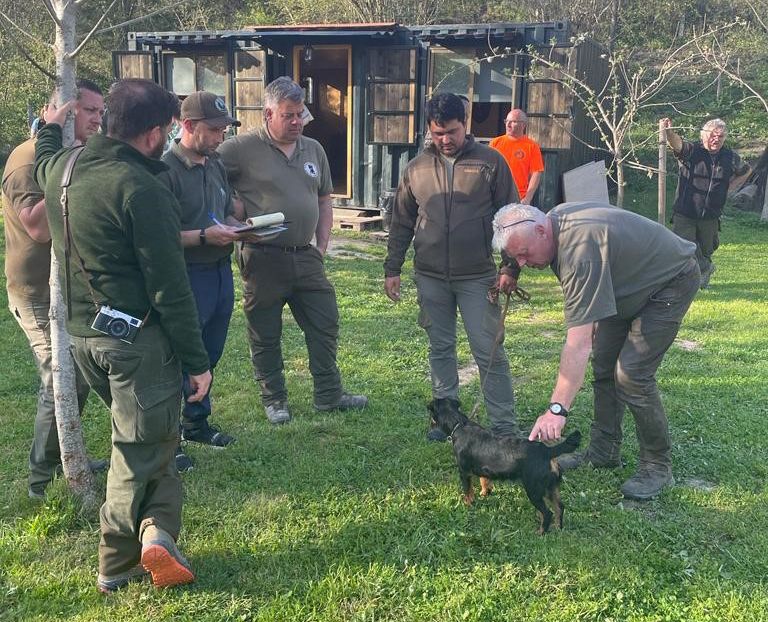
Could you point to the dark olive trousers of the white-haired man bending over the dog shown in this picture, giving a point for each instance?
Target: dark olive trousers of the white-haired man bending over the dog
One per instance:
(625, 356)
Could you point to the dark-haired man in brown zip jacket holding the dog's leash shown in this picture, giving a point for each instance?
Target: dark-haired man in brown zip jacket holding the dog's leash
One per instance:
(448, 196)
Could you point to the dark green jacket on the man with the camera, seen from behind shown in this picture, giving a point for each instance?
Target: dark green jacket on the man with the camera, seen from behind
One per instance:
(125, 226)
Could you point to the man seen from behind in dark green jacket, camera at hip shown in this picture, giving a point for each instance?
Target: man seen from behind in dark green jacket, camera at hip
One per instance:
(132, 318)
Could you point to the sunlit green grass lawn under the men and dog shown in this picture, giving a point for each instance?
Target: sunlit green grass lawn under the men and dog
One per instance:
(356, 517)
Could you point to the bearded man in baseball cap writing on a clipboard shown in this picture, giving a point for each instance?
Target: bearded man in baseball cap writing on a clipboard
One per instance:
(208, 219)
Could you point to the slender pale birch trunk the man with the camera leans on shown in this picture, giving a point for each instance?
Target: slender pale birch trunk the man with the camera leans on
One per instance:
(73, 457)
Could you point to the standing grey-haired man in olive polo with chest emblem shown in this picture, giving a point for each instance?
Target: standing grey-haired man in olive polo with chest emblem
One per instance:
(276, 169)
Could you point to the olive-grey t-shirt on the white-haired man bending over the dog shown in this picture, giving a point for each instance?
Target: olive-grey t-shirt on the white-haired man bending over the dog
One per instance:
(610, 261)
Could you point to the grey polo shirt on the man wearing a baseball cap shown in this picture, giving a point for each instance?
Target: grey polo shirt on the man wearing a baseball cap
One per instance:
(199, 188)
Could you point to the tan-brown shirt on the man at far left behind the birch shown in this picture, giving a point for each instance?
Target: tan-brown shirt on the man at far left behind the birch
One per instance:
(27, 263)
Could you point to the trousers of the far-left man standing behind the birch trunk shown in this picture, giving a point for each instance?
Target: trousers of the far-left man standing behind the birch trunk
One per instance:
(44, 456)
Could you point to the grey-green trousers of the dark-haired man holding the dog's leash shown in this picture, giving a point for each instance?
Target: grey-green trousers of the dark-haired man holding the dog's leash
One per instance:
(438, 300)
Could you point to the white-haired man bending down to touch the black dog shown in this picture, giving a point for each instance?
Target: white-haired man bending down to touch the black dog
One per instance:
(627, 282)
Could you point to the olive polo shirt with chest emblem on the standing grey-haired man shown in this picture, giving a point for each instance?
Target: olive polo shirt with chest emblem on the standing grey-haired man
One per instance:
(267, 181)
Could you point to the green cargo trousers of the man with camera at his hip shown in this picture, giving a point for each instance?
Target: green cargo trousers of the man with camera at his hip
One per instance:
(141, 383)
